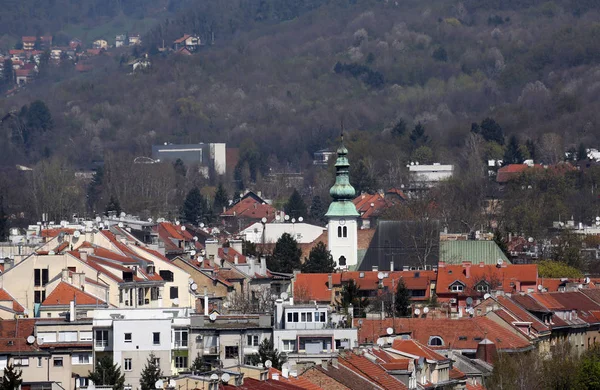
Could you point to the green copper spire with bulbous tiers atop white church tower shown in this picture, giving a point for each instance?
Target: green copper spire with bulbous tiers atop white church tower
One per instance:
(342, 191)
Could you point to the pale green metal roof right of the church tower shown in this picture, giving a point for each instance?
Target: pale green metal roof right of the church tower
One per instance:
(455, 252)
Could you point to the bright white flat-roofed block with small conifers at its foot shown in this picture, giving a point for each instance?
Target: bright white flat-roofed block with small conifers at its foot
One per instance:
(130, 336)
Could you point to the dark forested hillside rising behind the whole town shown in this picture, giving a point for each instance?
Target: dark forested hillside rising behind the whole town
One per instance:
(410, 80)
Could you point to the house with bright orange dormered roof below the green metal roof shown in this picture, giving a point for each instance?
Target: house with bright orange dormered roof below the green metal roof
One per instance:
(464, 286)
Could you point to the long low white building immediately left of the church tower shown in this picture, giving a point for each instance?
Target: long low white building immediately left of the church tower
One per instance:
(303, 233)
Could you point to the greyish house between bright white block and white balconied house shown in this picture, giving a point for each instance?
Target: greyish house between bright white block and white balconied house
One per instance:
(229, 339)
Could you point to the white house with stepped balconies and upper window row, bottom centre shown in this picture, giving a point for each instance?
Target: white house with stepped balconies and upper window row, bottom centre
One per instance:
(308, 334)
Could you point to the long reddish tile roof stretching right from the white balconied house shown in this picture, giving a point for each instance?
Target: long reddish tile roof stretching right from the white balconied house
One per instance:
(465, 333)
